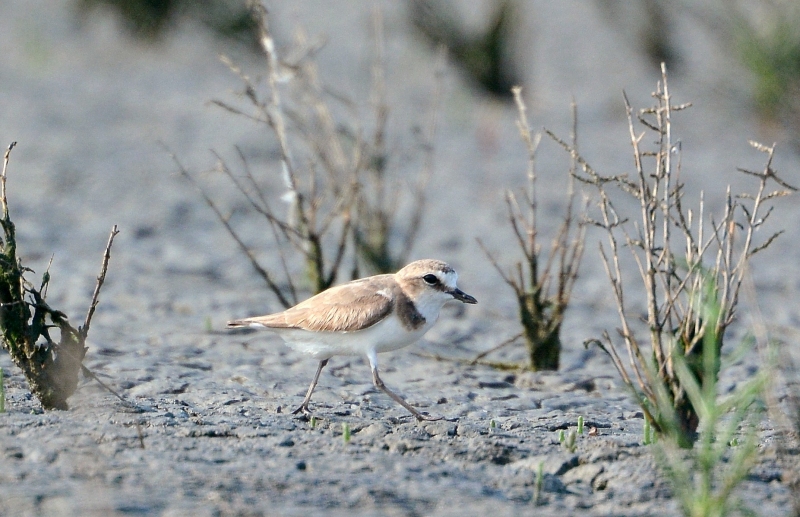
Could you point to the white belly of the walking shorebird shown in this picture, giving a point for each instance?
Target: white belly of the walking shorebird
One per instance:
(384, 336)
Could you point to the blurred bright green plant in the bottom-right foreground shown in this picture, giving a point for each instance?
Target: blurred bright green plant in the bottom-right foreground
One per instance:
(705, 477)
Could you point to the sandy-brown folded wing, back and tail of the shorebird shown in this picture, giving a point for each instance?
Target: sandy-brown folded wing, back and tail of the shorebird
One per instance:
(346, 308)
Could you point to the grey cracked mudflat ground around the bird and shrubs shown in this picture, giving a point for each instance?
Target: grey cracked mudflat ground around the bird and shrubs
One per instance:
(211, 432)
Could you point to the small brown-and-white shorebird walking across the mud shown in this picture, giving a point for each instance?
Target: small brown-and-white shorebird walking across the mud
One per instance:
(368, 316)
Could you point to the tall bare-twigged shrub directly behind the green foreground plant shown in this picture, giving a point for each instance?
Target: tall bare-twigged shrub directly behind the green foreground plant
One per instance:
(684, 256)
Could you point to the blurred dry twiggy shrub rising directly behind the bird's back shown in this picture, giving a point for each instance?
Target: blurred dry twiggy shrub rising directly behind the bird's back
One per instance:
(341, 203)
